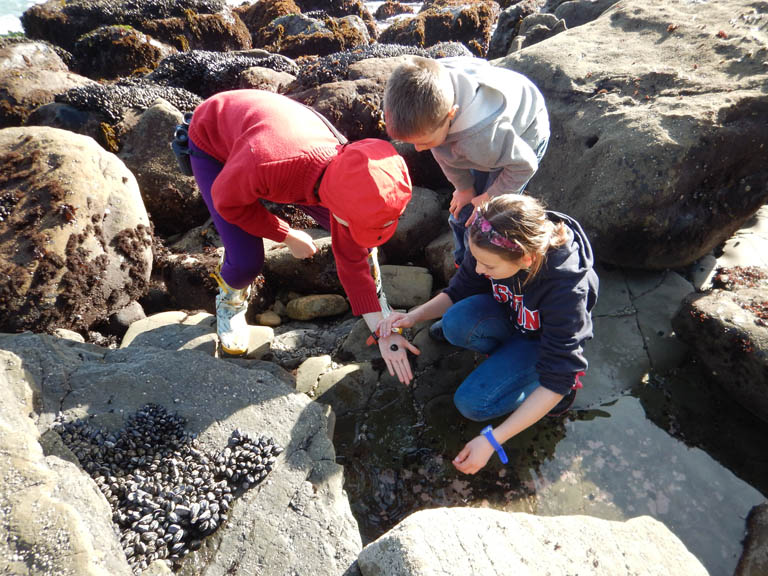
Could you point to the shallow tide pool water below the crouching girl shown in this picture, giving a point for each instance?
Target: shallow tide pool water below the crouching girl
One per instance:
(674, 448)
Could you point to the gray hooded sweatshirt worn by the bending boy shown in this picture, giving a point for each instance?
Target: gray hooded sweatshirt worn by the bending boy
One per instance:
(502, 119)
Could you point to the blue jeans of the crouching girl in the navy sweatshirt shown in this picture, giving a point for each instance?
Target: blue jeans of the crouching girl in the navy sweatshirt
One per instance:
(508, 376)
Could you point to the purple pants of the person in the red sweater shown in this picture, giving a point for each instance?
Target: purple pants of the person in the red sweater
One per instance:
(243, 252)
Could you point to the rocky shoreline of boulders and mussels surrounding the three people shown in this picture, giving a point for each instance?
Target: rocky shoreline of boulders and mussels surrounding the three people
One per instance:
(659, 147)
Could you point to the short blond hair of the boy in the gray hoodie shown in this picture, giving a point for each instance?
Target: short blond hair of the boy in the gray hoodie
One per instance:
(418, 97)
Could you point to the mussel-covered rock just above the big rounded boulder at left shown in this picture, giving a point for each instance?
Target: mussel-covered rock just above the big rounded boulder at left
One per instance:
(112, 101)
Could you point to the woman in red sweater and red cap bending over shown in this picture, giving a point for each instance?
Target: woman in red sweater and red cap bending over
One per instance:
(249, 145)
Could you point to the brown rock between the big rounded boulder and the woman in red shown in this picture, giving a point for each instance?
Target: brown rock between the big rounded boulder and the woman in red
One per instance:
(172, 199)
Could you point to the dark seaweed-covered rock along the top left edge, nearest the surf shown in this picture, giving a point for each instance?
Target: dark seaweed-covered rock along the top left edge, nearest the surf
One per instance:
(62, 23)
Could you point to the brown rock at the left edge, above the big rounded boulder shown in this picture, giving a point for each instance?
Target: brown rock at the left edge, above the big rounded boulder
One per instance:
(33, 73)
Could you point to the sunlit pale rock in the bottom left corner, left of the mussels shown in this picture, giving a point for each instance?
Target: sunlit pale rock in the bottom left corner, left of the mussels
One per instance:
(54, 520)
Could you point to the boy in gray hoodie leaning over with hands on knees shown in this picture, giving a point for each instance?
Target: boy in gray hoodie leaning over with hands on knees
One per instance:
(486, 126)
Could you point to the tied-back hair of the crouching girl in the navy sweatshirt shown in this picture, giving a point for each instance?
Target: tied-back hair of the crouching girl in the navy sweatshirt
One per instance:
(523, 220)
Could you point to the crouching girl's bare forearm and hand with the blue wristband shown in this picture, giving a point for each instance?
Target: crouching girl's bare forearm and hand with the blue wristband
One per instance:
(478, 451)
